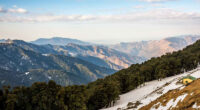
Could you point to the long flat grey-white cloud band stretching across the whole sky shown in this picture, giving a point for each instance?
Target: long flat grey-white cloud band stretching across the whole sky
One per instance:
(156, 14)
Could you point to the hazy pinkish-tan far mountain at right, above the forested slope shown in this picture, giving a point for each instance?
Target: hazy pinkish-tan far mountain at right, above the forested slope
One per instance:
(156, 48)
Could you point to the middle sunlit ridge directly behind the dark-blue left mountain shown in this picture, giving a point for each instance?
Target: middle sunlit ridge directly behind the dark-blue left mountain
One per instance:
(98, 55)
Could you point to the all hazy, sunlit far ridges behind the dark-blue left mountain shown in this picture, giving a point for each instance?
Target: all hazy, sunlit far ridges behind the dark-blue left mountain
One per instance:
(116, 57)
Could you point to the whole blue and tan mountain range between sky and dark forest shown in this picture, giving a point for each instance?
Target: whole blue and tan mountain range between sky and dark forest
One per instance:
(68, 63)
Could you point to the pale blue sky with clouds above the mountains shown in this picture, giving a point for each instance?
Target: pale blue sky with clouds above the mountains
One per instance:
(99, 21)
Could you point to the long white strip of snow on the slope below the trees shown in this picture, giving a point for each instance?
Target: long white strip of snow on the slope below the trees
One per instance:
(152, 90)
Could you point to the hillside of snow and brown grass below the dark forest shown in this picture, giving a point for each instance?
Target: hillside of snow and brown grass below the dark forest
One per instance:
(159, 95)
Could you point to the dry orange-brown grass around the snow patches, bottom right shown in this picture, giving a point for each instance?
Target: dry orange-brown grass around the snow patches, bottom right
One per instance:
(193, 91)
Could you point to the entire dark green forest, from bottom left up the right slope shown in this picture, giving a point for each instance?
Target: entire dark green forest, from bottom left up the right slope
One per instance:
(103, 92)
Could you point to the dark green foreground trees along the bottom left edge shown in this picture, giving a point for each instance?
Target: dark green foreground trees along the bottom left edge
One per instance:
(50, 96)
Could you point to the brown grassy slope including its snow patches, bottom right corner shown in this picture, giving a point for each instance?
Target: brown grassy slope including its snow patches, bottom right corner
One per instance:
(186, 98)
